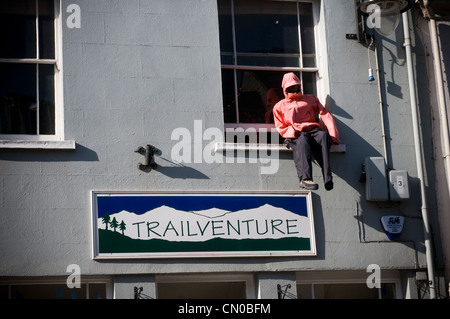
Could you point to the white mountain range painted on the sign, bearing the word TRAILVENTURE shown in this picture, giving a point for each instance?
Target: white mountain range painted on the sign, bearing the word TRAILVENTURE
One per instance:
(168, 224)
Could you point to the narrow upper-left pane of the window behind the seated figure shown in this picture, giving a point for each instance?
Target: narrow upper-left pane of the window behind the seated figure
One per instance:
(226, 31)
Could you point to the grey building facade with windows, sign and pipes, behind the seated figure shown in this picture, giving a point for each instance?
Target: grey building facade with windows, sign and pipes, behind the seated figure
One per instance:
(112, 109)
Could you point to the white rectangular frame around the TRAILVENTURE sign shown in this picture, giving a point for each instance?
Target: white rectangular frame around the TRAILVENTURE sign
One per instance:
(97, 254)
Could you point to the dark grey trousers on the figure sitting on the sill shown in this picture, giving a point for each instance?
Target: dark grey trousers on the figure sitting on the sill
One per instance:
(309, 145)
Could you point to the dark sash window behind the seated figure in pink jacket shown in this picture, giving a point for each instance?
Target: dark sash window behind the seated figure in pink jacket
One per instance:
(260, 41)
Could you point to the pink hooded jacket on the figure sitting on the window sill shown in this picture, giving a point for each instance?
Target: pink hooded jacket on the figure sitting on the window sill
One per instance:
(297, 112)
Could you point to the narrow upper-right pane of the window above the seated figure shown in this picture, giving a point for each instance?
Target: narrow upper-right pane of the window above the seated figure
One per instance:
(307, 32)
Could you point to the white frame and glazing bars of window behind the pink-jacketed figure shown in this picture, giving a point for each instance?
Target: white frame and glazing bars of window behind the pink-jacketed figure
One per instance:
(320, 70)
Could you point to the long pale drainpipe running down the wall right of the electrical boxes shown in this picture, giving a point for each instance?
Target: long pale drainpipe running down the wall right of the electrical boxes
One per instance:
(419, 160)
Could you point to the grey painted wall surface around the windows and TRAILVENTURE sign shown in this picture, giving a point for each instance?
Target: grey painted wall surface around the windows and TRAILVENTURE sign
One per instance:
(137, 70)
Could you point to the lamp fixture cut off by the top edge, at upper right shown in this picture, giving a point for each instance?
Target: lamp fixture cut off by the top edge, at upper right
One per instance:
(383, 15)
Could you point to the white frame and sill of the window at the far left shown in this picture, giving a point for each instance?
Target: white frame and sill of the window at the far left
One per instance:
(38, 141)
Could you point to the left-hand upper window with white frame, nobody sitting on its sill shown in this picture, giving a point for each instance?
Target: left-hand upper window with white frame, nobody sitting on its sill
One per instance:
(30, 107)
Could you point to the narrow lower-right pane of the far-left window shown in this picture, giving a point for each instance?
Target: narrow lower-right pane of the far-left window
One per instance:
(46, 100)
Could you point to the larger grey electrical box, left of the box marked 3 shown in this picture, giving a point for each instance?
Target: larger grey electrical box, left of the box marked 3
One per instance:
(376, 180)
